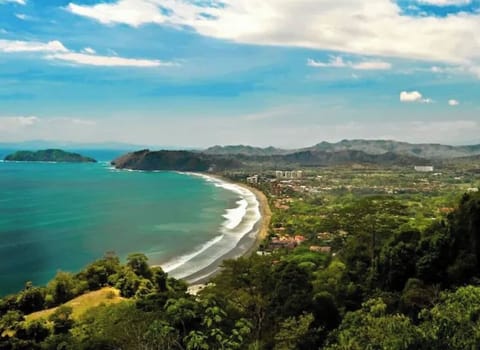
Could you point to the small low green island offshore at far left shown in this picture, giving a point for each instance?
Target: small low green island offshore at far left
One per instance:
(48, 155)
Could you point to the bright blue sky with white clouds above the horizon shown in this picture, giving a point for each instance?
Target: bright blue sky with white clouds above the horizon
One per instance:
(196, 73)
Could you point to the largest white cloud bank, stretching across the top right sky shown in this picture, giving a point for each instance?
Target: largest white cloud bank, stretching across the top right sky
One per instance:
(350, 26)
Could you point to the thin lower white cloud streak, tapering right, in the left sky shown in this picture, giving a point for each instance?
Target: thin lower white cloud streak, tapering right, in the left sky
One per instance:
(107, 61)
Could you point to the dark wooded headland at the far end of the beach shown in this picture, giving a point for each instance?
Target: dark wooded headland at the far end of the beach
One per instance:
(174, 160)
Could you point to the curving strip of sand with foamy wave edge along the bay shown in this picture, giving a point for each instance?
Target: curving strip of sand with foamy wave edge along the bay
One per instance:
(247, 244)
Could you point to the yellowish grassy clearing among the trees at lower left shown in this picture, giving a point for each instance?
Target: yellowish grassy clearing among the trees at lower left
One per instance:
(83, 303)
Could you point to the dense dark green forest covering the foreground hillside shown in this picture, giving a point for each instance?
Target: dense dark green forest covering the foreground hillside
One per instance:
(389, 285)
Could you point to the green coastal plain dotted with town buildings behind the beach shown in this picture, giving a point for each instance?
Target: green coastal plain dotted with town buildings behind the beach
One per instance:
(312, 207)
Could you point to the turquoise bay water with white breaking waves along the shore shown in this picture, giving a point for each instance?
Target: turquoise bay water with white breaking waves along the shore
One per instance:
(58, 216)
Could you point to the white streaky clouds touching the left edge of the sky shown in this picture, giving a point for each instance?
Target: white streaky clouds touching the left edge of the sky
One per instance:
(55, 50)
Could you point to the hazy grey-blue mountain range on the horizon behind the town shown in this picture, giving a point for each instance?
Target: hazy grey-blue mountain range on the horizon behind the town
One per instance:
(373, 147)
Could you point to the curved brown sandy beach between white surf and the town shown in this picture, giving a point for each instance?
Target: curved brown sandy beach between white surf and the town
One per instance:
(247, 245)
